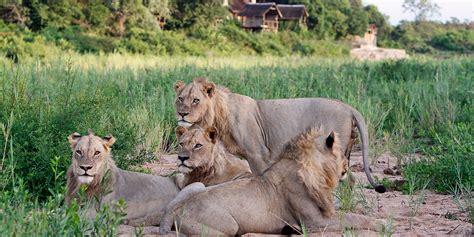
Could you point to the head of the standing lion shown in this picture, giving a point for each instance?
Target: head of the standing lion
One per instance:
(198, 103)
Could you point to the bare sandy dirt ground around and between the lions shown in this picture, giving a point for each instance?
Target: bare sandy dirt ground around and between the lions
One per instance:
(422, 214)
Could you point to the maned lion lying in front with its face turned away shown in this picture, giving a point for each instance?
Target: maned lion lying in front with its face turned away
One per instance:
(296, 191)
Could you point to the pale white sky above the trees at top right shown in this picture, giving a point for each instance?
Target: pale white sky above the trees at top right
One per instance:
(461, 9)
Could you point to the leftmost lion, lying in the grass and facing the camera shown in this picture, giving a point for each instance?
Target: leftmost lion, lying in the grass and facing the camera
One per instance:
(92, 165)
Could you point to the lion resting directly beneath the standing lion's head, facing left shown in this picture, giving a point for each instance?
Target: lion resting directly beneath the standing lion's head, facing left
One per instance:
(202, 158)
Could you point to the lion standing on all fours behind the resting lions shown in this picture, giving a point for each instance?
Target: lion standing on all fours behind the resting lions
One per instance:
(259, 129)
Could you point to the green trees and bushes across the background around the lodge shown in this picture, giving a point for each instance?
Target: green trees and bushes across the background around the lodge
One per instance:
(203, 28)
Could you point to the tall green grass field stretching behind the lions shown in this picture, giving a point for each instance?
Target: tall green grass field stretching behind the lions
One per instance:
(410, 106)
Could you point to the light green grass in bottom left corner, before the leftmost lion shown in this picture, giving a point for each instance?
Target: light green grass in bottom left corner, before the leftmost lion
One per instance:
(23, 215)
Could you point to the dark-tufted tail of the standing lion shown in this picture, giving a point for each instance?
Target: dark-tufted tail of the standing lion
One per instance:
(362, 127)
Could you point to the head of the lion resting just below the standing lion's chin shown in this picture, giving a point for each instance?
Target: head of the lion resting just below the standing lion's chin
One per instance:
(196, 148)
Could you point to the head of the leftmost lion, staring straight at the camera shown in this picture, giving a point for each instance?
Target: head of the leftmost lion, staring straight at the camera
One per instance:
(91, 155)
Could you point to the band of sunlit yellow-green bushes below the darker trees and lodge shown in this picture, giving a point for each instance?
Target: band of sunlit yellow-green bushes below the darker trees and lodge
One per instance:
(227, 39)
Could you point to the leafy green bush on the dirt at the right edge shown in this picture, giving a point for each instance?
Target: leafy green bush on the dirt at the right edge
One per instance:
(447, 164)
